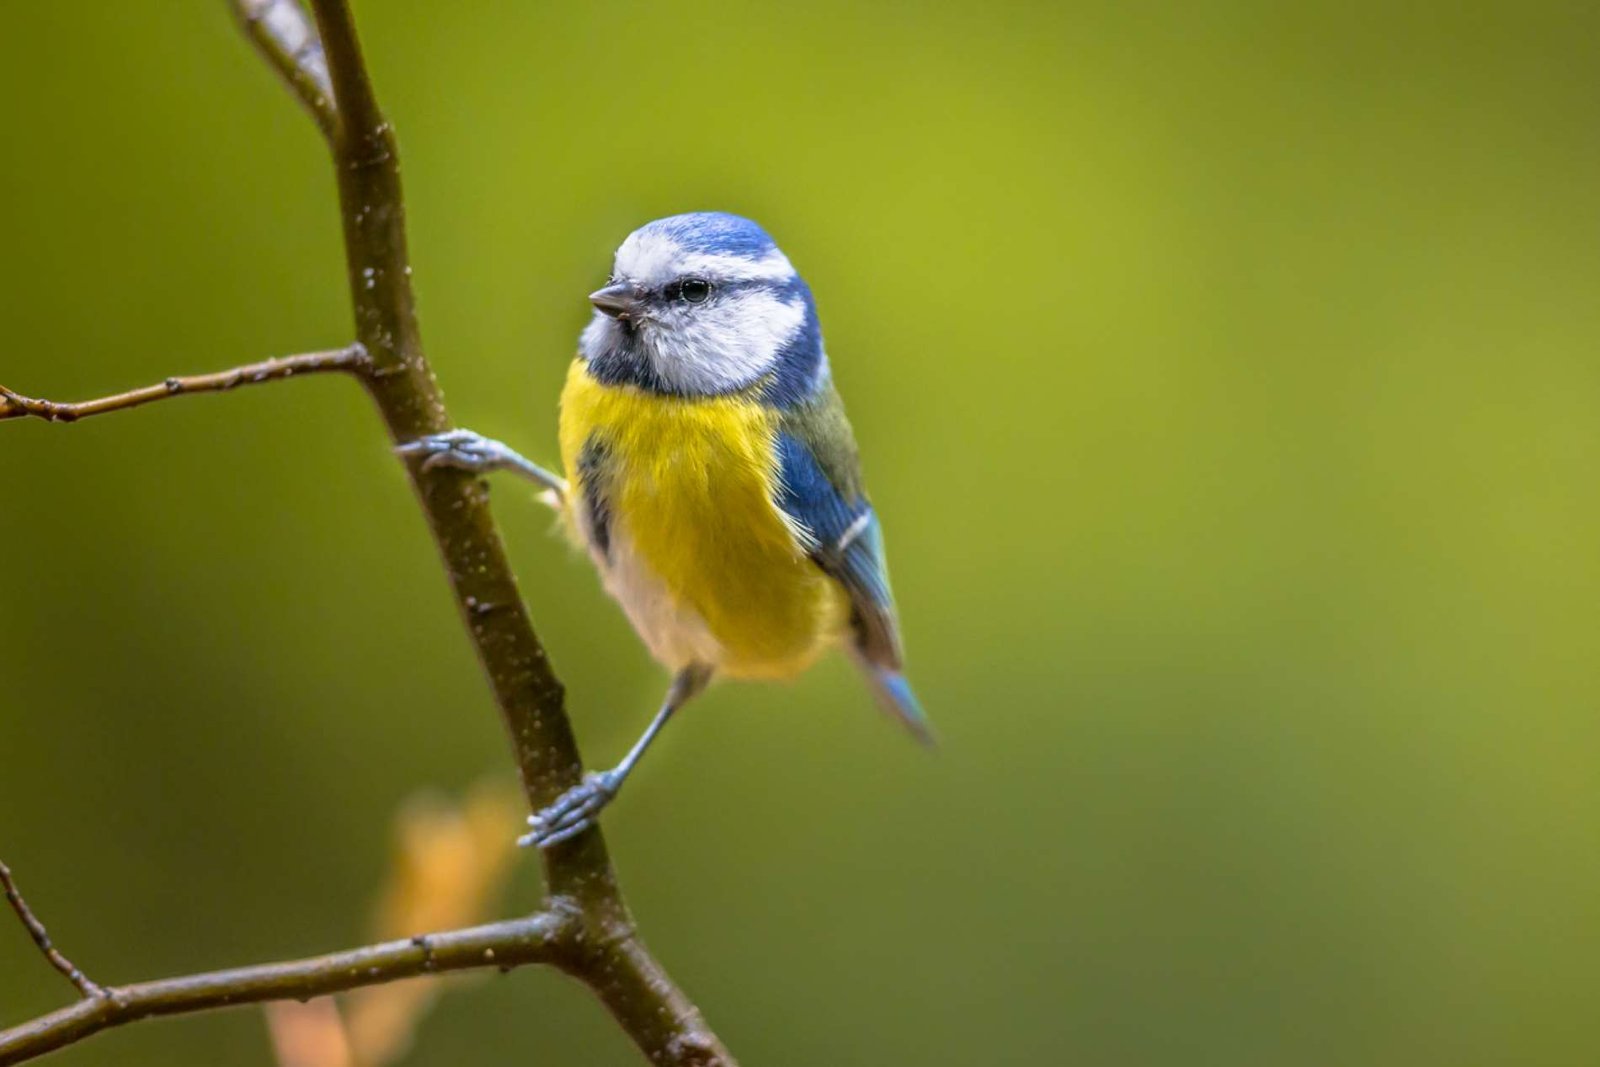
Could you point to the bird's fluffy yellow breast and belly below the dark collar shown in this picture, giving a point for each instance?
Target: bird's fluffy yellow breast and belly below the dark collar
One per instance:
(689, 490)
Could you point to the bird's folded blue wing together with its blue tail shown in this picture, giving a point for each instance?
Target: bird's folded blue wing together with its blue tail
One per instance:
(849, 545)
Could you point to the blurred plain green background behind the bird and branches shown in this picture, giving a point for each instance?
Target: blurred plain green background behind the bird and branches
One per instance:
(1226, 378)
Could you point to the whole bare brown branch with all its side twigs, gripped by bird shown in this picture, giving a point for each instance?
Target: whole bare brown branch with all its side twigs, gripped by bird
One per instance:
(585, 927)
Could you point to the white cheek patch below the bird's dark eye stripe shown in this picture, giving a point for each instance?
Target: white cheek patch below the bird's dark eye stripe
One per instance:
(727, 345)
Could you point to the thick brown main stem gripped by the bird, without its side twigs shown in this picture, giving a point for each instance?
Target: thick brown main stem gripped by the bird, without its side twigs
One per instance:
(662, 1020)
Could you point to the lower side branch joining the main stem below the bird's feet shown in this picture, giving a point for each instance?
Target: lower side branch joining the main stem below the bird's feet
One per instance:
(542, 938)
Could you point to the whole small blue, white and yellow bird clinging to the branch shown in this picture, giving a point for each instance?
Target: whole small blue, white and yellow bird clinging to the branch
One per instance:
(713, 478)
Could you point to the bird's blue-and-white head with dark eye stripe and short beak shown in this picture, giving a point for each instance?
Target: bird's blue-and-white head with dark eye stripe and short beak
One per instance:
(700, 306)
